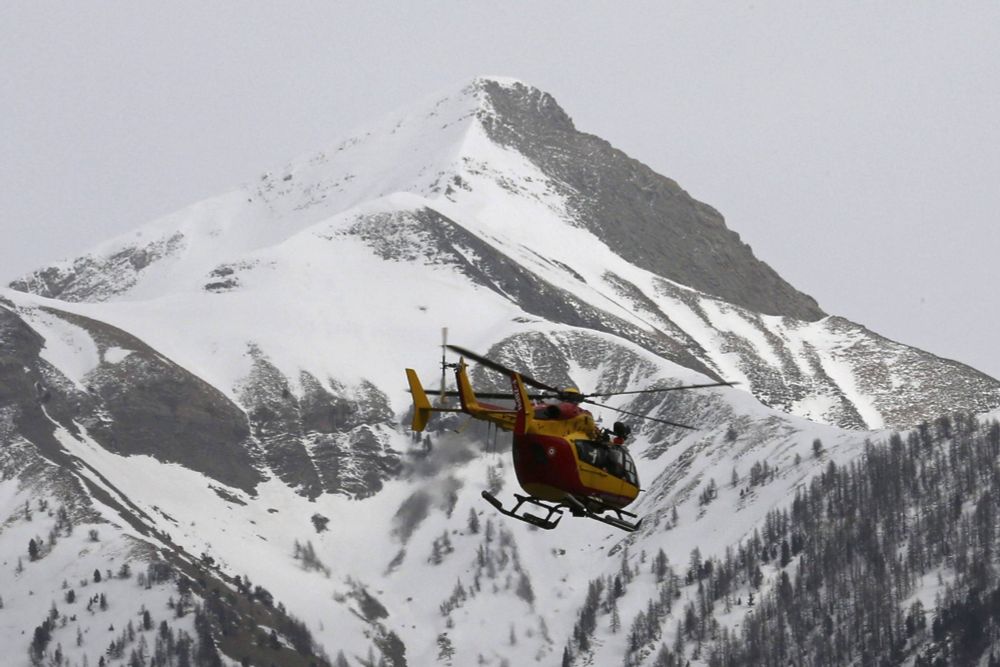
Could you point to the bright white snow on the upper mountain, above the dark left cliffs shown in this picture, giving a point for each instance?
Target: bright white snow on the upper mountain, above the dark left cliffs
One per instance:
(282, 241)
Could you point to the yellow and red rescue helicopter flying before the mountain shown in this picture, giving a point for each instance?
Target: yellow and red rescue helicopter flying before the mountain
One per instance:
(562, 458)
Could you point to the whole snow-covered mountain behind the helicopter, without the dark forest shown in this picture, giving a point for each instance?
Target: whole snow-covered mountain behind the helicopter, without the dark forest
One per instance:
(220, 394)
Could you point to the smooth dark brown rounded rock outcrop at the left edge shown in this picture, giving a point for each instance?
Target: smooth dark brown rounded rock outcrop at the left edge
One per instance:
(139, 404)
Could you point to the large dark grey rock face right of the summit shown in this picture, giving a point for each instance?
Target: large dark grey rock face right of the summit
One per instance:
(646, 218)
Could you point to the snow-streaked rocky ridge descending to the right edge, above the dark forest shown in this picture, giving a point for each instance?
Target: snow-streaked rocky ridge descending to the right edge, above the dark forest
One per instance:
(834, 370)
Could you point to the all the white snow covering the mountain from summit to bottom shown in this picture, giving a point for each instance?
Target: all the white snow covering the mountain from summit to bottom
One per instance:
(312, 297)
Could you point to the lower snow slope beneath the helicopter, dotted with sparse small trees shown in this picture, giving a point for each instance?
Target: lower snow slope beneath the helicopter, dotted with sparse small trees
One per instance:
(389, 556)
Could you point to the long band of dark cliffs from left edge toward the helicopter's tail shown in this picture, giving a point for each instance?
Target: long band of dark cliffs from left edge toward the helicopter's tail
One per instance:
(328, 439)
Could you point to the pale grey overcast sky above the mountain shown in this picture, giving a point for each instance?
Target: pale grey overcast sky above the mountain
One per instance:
(855, 146)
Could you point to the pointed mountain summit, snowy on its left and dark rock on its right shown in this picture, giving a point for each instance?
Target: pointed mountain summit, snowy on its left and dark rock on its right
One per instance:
(513, 139)
